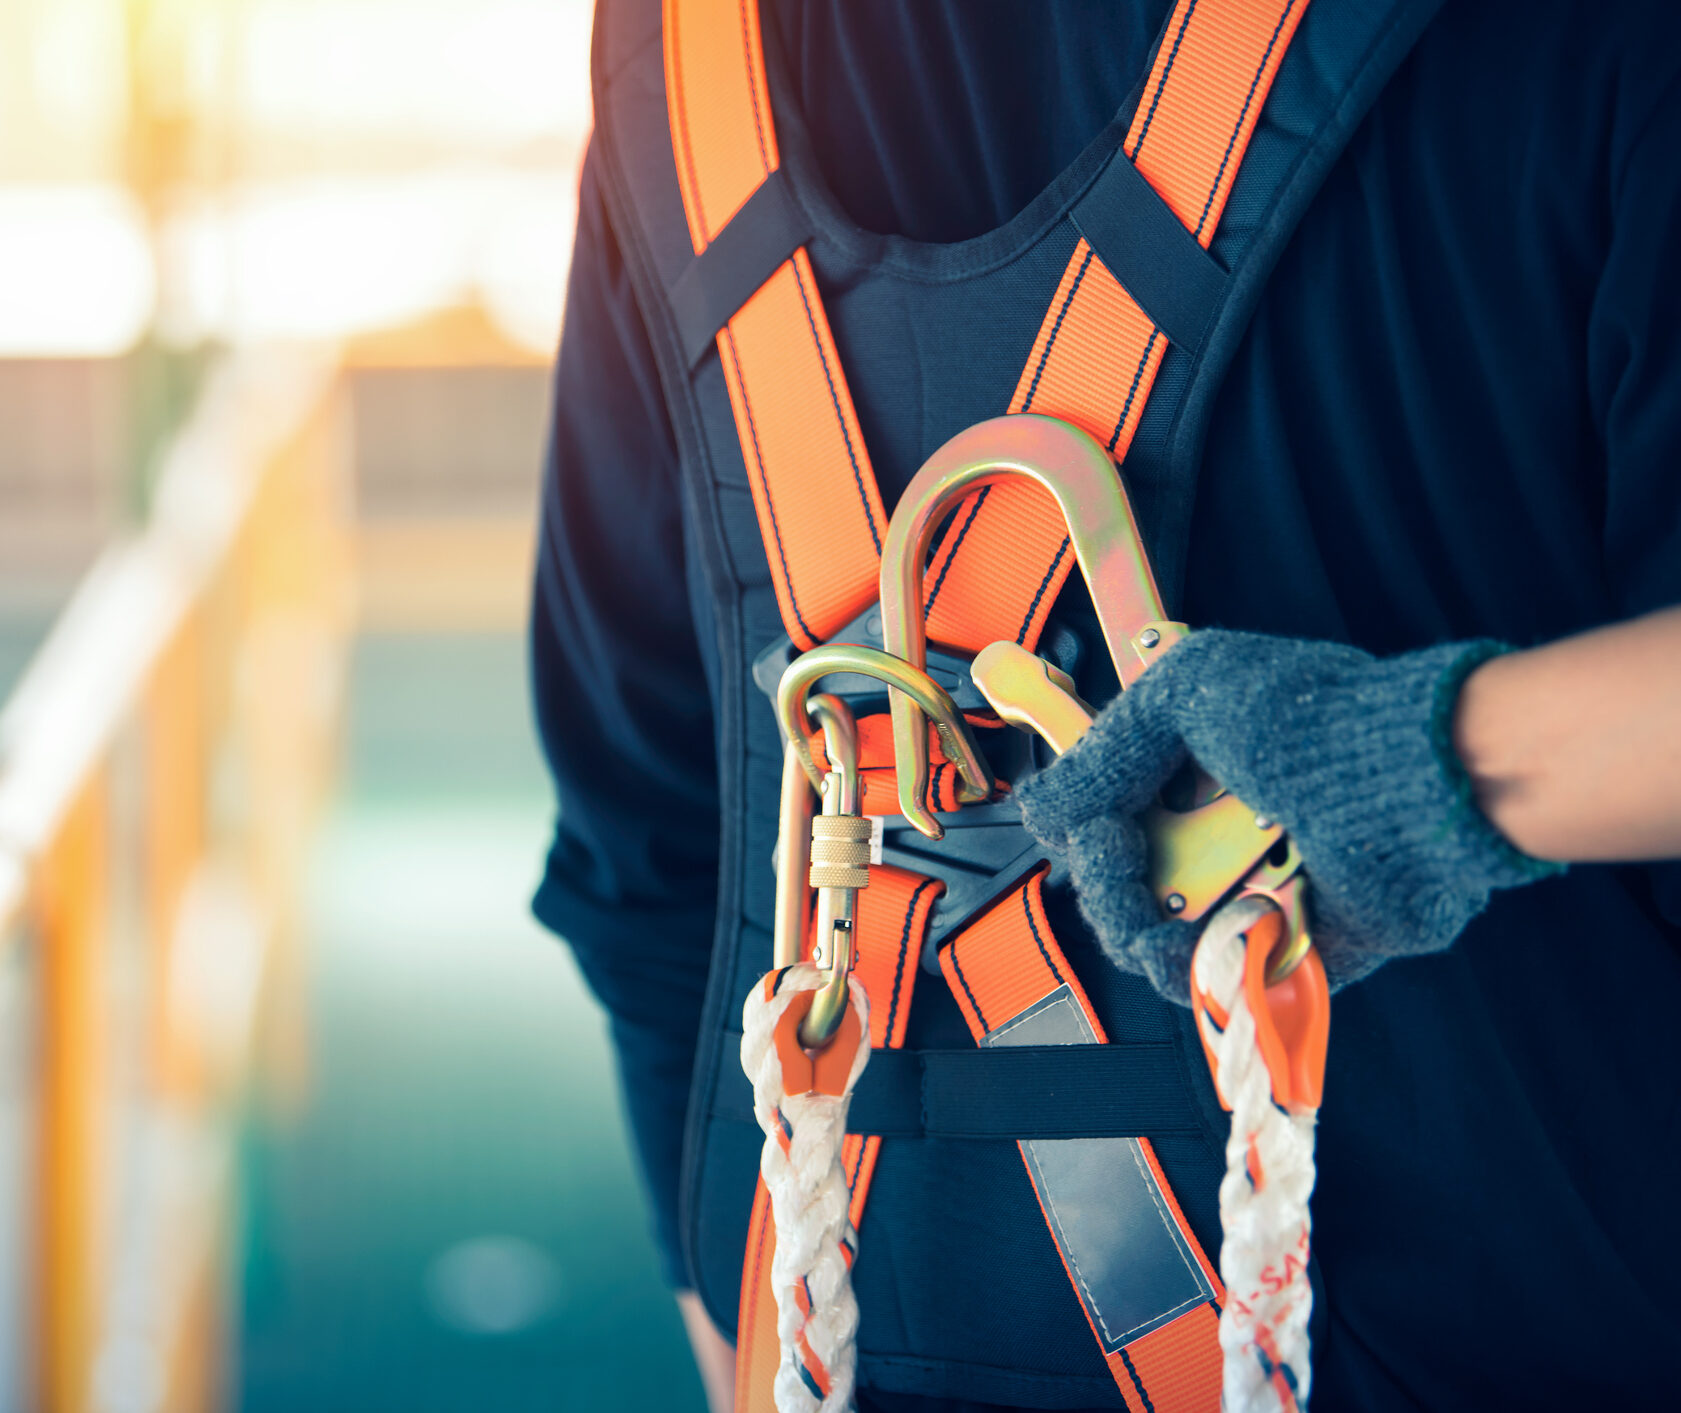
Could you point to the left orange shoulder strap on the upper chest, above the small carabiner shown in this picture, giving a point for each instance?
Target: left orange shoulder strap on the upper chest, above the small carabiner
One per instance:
(814, 490)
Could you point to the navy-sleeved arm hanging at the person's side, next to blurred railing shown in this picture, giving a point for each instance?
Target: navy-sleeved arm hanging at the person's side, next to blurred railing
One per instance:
(623, 710)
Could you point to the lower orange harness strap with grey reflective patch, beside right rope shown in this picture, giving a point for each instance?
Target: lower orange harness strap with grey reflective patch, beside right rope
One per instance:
(1144, 1281)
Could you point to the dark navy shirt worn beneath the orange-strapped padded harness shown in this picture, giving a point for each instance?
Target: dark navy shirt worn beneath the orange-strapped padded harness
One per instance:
(1457, 414)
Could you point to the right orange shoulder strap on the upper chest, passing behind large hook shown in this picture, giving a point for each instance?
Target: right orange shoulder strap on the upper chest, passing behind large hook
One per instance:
(1097, 354)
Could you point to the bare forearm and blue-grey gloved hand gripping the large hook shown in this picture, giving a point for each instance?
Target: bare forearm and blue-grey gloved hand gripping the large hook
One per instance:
(1413, 787)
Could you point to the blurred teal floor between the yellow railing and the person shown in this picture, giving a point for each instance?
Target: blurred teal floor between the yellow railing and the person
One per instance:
(453, 1222)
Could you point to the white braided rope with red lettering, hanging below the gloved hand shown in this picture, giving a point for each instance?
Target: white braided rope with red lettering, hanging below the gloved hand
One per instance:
(1265, 1251)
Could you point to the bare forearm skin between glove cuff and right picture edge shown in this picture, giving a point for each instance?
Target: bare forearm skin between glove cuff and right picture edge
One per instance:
(1574, 750)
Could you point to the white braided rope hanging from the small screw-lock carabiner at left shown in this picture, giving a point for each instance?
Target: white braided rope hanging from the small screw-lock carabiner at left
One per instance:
(801, 1165)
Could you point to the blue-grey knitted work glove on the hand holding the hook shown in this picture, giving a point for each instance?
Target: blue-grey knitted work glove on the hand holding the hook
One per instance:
(1351, 754)
